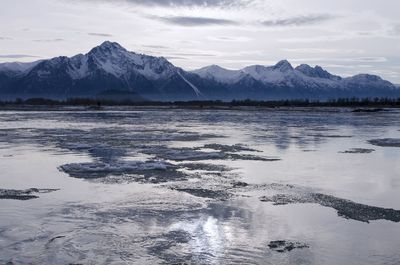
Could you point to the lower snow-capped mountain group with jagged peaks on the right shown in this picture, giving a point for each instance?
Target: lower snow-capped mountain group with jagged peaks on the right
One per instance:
(284, 81)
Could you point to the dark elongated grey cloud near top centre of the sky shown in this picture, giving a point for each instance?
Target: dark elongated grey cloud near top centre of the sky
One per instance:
(195, 21)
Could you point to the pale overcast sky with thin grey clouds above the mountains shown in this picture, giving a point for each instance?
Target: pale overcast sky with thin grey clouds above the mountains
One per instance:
(346, 37)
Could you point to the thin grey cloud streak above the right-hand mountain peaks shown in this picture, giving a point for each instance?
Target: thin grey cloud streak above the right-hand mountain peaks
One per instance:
(298, 21)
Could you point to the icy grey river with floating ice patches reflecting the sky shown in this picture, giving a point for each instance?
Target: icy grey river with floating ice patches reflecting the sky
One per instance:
(161, 186)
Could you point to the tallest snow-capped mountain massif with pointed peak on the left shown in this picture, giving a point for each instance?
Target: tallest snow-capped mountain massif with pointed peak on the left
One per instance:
(108, 67)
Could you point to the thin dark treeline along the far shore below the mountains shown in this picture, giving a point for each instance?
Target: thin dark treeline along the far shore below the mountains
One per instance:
(341, 102)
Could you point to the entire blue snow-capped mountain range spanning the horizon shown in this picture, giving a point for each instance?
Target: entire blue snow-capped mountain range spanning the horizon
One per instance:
(110, 68)
